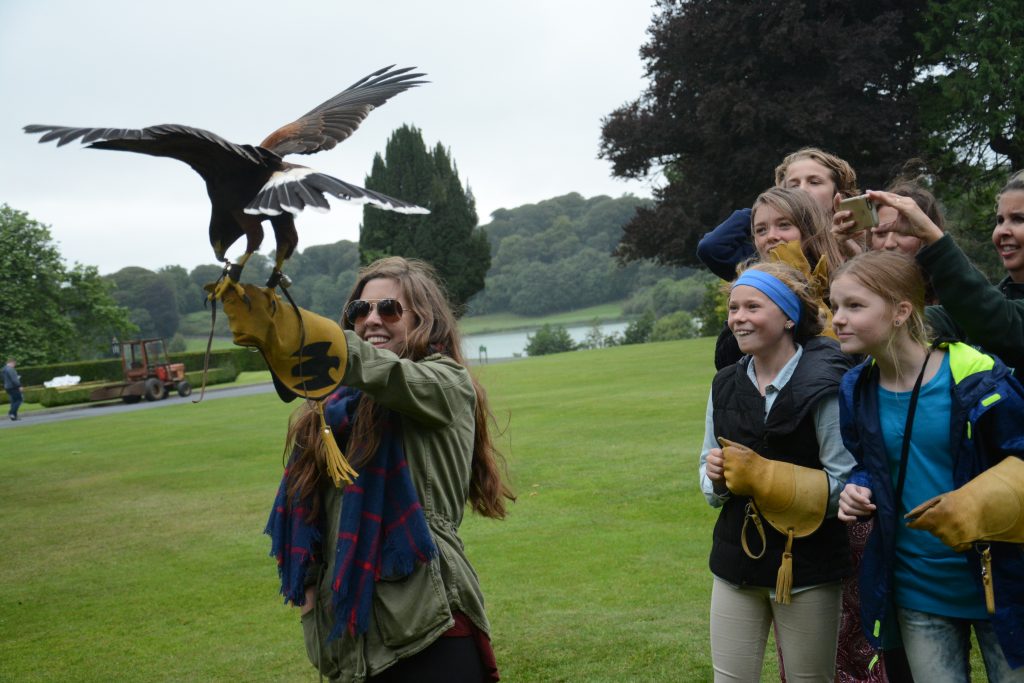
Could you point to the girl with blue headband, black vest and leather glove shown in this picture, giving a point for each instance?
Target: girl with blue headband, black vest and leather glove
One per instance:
(775, 463)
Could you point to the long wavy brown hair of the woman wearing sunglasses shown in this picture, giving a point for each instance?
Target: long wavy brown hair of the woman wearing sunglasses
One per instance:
(436, 332)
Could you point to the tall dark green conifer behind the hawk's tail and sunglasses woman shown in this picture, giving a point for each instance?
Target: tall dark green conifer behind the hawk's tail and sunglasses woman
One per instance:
(448, 238)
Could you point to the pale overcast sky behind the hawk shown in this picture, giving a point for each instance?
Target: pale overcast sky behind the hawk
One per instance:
(518, 93)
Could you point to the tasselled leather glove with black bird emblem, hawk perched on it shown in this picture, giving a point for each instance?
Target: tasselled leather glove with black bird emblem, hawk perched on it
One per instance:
(306, 353)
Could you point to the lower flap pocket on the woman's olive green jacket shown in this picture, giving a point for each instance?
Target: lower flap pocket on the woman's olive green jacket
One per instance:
(409, 609)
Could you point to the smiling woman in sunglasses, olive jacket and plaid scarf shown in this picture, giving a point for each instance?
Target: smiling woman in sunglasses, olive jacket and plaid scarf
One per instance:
(403, 604)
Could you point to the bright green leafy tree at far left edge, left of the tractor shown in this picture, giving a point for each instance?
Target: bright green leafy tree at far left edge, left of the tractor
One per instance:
(50, 313)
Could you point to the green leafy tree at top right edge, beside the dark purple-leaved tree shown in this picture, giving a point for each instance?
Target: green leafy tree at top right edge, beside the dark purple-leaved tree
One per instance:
(971, 98)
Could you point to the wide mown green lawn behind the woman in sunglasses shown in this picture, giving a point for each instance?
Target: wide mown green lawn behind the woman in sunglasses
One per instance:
(134, 546)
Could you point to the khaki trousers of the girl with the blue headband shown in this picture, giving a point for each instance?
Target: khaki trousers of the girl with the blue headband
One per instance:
(807, 631)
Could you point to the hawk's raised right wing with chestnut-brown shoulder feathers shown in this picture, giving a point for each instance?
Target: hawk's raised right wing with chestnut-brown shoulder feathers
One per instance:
(332, 122)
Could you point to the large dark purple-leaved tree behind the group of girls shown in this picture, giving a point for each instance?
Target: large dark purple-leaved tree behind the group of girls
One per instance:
(736, 87)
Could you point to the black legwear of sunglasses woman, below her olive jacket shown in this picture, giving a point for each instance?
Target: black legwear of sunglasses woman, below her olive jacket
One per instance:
(445, 661)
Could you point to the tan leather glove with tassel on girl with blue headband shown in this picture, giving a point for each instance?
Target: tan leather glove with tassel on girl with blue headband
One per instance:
(792, 498)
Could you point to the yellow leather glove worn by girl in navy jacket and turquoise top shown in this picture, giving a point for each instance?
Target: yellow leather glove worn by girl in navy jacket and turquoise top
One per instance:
(990, 507)
